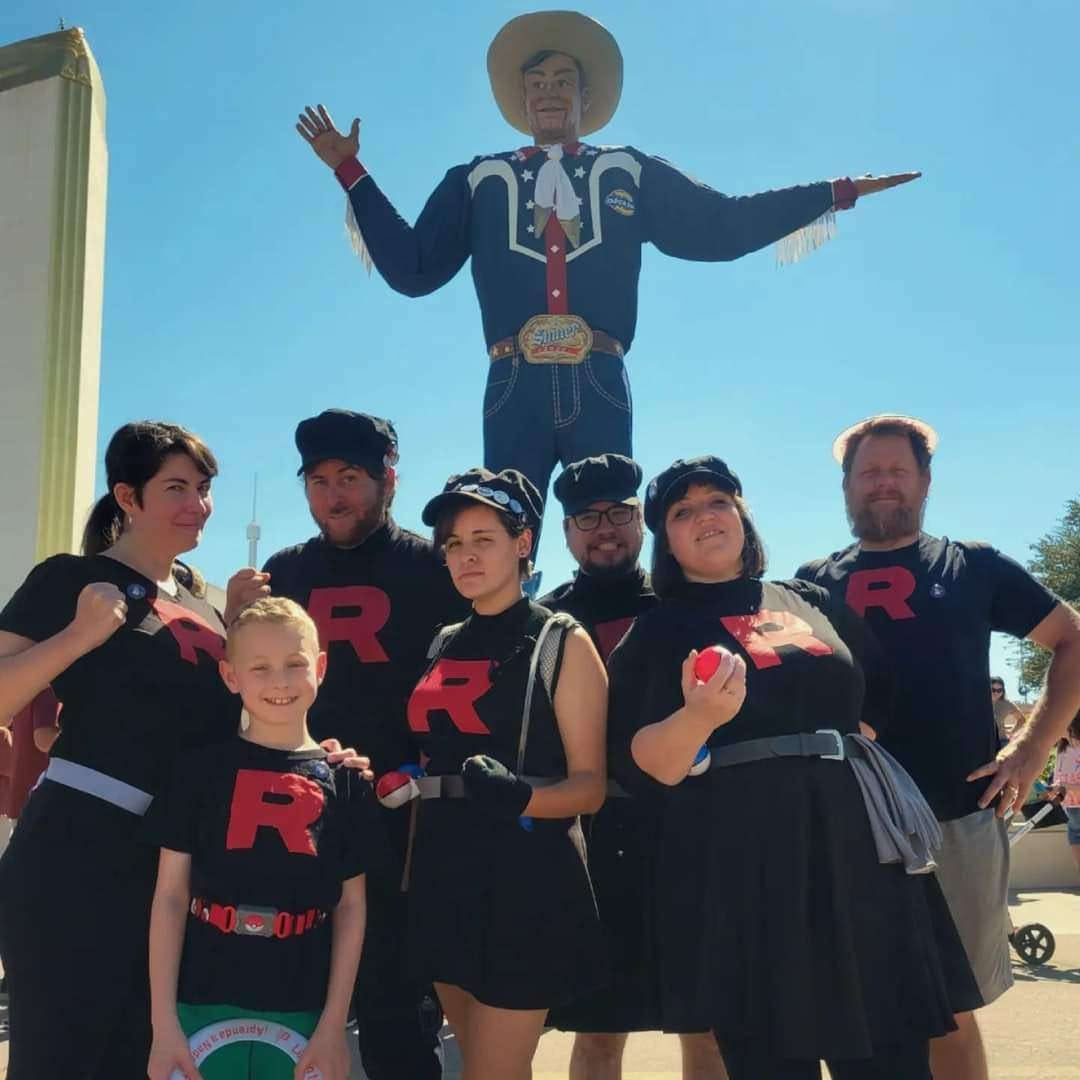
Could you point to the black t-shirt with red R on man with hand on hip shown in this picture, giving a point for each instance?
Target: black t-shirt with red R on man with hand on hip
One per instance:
(933, 606)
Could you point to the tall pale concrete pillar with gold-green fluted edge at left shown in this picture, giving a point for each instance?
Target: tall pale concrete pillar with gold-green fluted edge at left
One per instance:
(53, 175)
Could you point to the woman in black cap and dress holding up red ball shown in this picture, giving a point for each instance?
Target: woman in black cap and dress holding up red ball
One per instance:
(786, 920)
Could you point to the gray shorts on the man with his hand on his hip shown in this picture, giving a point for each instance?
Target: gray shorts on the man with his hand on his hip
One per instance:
(974, 873)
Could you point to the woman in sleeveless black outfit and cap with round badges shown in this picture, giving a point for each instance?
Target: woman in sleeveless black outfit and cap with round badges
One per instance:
(511, 720)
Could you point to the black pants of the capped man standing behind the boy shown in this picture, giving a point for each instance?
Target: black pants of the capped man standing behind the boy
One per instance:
(398, 1021)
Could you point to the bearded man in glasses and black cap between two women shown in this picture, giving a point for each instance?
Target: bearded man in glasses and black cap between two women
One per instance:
(604, 533)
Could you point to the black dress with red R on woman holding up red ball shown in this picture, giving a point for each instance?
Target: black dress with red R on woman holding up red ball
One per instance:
(776, 923)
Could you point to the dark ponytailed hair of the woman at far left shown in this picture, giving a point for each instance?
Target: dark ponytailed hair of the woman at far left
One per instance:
(134, 455)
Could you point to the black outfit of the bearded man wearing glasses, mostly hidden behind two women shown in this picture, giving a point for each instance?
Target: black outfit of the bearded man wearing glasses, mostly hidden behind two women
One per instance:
(622, 836)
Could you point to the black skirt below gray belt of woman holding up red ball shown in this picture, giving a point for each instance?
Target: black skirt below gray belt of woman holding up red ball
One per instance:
(777, 923)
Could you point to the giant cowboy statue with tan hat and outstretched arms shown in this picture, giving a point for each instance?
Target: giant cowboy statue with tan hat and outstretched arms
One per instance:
(556, 233)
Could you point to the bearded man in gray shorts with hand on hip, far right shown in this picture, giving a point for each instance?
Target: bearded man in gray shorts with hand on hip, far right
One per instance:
(933, 604)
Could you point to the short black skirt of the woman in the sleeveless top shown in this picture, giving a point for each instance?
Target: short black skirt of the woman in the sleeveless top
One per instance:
(504, 913)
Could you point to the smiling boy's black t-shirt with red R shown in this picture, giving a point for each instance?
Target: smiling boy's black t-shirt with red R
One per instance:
(267, 830)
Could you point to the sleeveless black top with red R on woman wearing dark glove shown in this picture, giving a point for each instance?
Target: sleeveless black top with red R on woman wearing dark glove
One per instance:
(470, 700)
